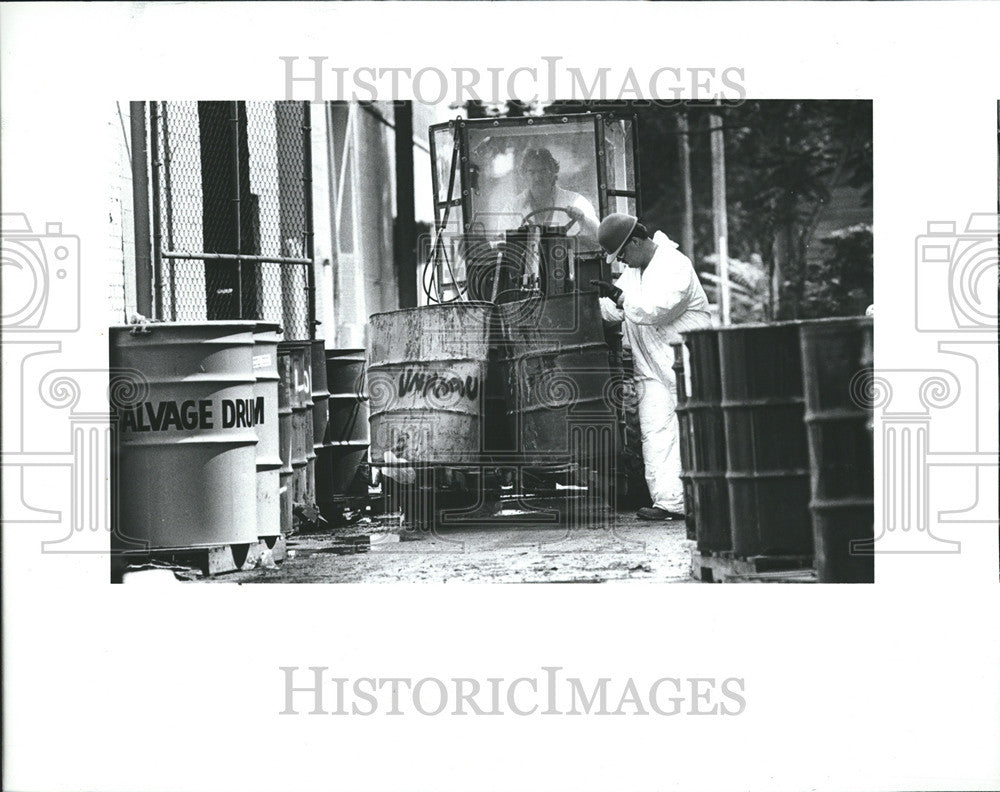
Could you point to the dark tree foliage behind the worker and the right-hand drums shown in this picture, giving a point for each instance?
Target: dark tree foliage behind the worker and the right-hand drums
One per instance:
(784, 159)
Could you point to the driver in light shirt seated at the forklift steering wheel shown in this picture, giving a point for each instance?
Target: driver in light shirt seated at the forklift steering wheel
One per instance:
(545, 203)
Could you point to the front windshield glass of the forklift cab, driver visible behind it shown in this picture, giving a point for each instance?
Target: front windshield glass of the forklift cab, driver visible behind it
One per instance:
(541, 175)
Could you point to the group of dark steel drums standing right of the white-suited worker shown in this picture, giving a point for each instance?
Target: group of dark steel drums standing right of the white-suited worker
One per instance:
(777, 453)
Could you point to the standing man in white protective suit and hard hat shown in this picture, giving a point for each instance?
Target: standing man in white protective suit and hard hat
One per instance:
(658, 296)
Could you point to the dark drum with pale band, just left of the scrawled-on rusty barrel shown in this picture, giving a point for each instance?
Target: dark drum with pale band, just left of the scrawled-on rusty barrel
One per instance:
(344, 453)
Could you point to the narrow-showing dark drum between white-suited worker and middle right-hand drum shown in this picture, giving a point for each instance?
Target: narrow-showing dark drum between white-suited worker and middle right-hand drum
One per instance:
(706, 470)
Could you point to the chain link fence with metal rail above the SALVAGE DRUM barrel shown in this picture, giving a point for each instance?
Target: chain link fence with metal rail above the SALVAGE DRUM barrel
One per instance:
(232, 213)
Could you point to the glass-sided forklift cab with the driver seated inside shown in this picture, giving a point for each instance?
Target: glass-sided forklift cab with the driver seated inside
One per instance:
(517, 202)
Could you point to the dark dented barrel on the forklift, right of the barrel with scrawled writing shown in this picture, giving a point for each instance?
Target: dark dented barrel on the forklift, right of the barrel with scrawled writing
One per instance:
(558, 375)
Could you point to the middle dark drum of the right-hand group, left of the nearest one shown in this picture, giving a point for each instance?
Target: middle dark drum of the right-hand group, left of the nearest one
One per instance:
(766, 450)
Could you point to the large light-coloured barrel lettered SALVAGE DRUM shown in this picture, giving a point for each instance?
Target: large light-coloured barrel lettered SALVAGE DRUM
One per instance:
(184, 468)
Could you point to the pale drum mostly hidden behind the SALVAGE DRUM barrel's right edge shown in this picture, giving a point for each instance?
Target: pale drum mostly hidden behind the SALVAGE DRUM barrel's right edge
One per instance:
(265, 369)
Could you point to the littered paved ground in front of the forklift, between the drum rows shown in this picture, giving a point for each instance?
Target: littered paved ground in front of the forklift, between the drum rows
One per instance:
(605, 548)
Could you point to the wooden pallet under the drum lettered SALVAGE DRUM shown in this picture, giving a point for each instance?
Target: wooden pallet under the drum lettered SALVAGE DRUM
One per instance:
(208, 561)
